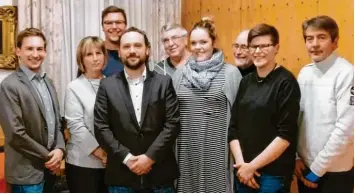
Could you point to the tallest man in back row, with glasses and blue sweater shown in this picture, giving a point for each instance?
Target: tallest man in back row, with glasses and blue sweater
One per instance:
(114, 22)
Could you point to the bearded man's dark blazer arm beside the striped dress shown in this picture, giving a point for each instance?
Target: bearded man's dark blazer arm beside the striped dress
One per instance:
(167, 136)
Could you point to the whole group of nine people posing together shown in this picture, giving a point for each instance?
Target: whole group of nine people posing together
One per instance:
(193, 124)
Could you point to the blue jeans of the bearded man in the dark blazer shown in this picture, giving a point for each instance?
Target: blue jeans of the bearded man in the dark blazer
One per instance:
(160, 189)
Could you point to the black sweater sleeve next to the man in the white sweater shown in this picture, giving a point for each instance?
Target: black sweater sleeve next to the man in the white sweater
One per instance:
(288, 109)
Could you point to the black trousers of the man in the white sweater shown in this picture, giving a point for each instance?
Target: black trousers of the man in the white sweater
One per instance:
(331, 182)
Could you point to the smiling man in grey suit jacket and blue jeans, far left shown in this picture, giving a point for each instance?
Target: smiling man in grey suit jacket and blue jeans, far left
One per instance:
(29, 115)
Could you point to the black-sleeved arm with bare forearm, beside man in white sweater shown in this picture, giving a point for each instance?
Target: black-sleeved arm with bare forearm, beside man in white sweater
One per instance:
(288, 110)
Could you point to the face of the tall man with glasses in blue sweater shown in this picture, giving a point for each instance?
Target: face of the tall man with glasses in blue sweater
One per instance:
(113, 26)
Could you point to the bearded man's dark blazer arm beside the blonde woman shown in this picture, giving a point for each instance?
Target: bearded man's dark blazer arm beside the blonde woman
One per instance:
(103, 133)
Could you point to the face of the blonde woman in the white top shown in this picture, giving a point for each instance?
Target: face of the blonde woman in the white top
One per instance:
(94, 59)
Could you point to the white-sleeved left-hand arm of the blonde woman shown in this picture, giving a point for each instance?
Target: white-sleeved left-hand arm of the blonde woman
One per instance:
(74, 114)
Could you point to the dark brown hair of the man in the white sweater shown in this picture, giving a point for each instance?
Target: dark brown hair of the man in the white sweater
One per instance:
(322, 22)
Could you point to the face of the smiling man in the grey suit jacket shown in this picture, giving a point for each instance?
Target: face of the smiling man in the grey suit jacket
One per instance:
(32, 52)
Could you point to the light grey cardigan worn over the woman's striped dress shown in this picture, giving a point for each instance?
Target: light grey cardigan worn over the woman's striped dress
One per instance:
(233, 78)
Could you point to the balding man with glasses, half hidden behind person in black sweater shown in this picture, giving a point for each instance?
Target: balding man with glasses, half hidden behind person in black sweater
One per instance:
(241, 54)
